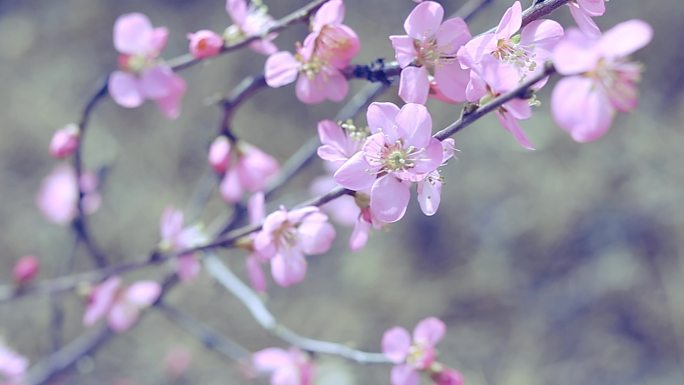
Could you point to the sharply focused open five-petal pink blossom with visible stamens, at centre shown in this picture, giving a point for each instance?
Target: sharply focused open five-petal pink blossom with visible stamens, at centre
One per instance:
(400, 151)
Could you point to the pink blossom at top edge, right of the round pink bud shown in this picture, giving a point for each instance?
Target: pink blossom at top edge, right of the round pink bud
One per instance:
(250, 20)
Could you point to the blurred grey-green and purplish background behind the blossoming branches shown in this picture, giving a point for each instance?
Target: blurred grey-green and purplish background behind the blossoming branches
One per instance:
(557, 266)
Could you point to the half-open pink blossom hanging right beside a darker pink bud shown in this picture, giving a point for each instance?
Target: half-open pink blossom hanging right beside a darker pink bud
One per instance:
(250, 170)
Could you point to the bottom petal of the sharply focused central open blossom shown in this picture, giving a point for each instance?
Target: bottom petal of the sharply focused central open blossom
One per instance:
(389, 198)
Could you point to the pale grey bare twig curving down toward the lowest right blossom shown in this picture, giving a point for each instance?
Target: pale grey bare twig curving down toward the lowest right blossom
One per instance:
(267, 320)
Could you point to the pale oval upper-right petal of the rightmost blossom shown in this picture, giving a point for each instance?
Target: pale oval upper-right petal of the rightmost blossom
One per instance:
(625, 38)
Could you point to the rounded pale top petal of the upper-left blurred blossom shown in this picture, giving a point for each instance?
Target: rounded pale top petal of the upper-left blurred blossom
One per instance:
(133, 34)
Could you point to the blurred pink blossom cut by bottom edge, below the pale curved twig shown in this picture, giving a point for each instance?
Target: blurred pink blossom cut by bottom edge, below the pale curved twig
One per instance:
(287, 367)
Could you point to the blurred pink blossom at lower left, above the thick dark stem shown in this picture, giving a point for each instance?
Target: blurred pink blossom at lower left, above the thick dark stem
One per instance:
(121, 305)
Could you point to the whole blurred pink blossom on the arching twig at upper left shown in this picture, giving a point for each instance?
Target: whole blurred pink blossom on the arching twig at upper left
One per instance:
(141, 75)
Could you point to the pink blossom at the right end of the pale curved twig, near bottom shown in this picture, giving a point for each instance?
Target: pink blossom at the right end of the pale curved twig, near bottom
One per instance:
(411, 357)
